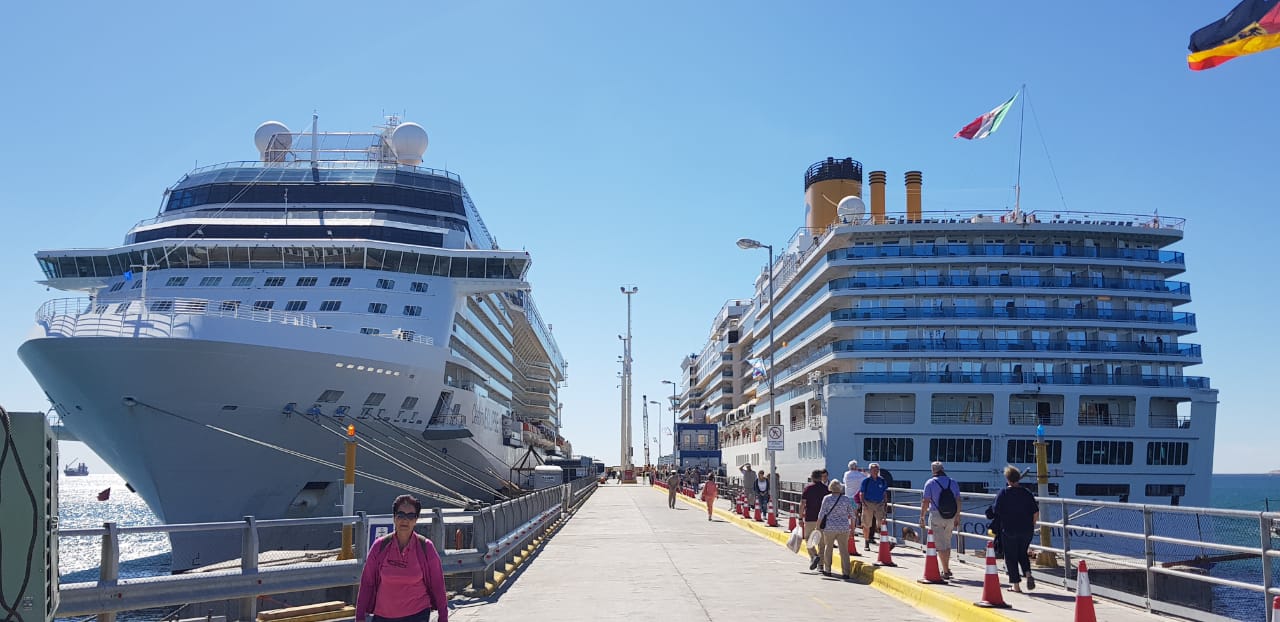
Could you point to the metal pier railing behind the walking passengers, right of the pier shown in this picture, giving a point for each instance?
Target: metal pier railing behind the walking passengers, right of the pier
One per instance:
(1169, 560)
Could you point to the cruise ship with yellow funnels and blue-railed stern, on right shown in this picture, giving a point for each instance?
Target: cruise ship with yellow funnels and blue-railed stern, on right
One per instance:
(917, 336)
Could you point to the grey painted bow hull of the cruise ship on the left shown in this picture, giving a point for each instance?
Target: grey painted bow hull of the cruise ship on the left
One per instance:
(204, 432)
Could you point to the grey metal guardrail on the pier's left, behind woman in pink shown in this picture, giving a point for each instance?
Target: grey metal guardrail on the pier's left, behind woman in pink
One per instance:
(470, 543)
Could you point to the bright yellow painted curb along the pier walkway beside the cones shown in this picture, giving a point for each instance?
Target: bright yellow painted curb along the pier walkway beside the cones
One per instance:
(918, 596)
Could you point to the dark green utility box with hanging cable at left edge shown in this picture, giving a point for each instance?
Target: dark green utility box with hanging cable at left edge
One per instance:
(24, 519)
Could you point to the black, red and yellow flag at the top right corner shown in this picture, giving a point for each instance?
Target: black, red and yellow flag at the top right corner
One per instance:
(1251, 28)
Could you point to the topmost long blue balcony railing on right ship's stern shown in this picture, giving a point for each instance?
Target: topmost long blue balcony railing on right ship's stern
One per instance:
(1009, 250)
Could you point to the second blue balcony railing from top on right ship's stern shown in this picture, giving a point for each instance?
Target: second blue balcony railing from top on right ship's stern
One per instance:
(1002, 281)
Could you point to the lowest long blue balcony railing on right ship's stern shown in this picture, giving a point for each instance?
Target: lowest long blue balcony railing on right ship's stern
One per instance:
(1025, 378)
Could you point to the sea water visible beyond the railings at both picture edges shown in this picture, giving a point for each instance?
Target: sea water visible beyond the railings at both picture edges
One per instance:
(148, 555)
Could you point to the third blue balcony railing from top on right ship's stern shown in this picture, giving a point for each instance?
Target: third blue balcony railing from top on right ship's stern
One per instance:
(1013, 313)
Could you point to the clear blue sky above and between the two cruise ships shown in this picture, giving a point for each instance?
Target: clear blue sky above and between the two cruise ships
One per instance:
(634, 143)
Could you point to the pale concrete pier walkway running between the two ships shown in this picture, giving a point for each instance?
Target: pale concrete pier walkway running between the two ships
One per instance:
(627, 556)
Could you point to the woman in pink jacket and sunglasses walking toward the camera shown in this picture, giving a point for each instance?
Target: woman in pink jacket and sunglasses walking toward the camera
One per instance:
(404, 579)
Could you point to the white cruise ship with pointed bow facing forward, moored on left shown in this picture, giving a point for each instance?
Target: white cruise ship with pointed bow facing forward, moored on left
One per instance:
(218, 356)
